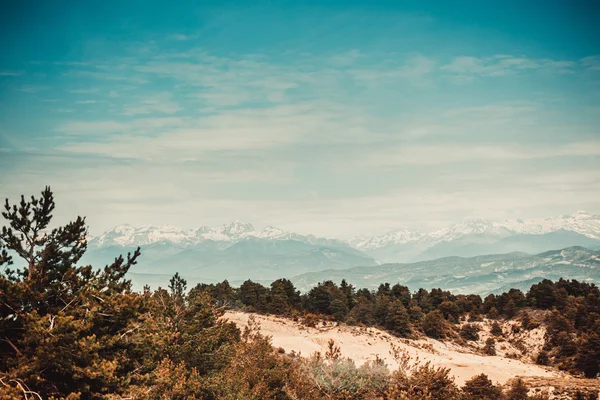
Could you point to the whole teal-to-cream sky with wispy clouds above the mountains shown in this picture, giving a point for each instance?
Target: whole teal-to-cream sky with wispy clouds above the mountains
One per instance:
(326, 117)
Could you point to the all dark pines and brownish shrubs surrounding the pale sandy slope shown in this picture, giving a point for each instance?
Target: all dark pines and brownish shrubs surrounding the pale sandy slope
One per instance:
(74, 332)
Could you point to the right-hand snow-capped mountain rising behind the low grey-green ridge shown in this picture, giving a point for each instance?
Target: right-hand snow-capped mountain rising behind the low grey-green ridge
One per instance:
(477, 237)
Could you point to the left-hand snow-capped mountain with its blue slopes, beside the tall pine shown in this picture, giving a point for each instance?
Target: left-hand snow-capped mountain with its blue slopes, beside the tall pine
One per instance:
(236, 252)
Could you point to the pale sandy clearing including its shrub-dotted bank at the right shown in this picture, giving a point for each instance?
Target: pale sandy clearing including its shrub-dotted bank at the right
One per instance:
(514, 354)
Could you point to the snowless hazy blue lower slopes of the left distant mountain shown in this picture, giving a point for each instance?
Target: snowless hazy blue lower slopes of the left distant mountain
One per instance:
(210, 260)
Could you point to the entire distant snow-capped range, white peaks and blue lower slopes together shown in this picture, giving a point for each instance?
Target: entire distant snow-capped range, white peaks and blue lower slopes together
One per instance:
(238, 251)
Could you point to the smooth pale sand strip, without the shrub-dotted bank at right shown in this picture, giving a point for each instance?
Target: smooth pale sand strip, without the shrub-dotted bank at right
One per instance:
(362, 344)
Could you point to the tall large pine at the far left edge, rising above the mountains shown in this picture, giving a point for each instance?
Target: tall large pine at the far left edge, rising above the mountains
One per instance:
(65, 321)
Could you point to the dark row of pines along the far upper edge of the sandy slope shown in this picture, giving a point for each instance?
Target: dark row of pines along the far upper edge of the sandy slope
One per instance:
(572, 342)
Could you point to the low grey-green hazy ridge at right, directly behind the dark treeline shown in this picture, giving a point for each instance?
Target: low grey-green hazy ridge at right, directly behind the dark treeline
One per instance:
(481, 274)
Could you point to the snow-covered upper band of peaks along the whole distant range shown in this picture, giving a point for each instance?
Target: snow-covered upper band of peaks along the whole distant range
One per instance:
(475, 230)
